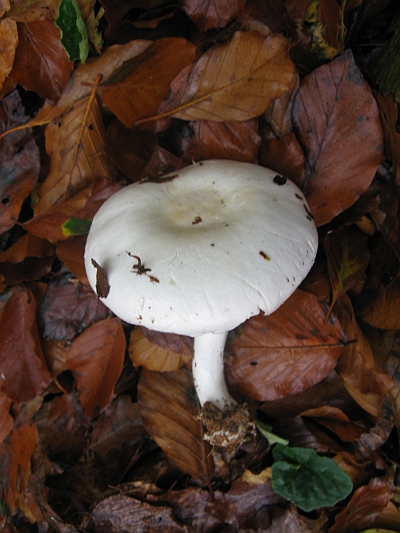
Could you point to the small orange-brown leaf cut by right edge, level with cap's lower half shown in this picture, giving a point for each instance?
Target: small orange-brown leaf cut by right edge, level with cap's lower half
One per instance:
(383, 310)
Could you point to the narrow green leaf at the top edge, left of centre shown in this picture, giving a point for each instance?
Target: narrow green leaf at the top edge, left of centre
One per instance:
(74, 37)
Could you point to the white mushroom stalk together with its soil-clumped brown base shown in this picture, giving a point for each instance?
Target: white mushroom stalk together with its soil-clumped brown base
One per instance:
(226, 423)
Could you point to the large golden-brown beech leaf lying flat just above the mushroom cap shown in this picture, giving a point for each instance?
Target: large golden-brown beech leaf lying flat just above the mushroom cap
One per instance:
(236, 80)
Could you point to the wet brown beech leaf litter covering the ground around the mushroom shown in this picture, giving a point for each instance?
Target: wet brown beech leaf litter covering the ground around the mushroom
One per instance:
(99, 424)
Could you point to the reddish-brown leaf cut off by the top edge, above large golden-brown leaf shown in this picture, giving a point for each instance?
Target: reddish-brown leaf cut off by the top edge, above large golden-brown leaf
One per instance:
(209, 14)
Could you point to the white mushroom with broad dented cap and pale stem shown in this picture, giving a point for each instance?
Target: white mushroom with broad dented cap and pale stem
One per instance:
(199, 252)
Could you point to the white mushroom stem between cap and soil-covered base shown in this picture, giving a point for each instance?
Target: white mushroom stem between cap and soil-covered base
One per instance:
(208, 370)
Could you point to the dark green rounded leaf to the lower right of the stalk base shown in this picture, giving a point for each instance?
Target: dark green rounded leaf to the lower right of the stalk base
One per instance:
(309, 481)
